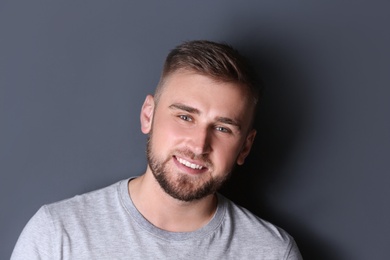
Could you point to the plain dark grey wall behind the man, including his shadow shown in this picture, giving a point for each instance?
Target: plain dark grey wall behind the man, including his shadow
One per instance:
(73, 75)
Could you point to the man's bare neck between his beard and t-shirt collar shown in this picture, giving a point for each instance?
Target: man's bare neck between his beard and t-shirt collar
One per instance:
(166, 212)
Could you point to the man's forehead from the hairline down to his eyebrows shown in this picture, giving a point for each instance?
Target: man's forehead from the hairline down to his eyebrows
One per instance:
(200, 94)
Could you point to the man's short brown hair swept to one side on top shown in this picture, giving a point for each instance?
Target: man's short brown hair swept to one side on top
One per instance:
(216, 60)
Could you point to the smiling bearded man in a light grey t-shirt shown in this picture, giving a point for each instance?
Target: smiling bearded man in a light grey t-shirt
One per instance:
(200, 125)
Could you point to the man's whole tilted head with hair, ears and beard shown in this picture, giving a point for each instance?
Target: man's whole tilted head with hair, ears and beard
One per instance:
(200, 120)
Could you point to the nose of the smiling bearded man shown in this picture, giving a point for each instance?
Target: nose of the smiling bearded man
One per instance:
(200, 141)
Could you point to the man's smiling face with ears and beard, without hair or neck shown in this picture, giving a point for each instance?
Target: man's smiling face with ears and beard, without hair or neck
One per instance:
(197, 132)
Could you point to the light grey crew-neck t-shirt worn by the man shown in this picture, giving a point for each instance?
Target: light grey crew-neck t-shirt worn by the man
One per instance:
(104, 224)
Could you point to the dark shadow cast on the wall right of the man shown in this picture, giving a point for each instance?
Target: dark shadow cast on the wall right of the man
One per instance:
(280, 121)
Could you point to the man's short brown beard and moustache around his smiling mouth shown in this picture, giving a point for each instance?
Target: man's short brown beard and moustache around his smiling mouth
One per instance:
(182, 186)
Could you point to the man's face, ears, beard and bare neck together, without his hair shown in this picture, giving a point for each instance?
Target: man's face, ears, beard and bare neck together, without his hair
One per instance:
(198, 130)
